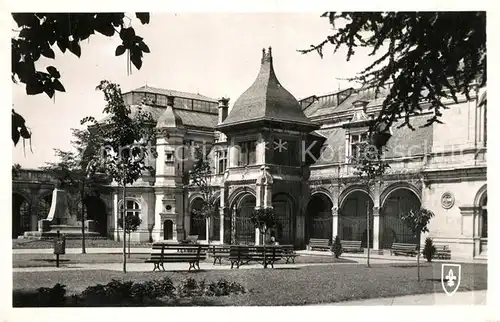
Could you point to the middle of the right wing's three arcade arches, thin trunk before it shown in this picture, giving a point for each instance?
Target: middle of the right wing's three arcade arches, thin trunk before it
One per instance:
(354, 203)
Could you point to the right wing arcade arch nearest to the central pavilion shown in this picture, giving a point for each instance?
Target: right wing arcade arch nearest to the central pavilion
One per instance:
(318, 219)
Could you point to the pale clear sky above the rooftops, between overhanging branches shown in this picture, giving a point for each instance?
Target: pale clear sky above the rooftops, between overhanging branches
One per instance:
(214, 54)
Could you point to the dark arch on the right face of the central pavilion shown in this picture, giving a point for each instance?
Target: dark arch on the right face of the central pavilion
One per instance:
(285, 207)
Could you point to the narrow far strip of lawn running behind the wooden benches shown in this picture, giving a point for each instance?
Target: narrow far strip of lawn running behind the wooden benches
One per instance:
(48, 260)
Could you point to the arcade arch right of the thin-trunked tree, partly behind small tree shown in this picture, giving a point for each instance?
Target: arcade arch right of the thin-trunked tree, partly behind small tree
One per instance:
(397, 199)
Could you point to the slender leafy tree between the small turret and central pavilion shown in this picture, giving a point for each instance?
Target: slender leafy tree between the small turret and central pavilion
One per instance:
(199, 178)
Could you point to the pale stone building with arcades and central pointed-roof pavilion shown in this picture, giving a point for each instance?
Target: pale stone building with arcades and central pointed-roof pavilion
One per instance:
(312, 186)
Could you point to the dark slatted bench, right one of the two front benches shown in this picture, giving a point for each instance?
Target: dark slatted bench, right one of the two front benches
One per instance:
(263, 255)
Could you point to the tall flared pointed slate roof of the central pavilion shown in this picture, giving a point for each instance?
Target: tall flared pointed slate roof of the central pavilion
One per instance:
(267, 100)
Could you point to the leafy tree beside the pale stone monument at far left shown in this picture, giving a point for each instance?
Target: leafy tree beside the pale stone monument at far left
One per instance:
(76, 177)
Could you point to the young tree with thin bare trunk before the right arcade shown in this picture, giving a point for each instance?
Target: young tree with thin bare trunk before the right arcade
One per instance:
(369, 167)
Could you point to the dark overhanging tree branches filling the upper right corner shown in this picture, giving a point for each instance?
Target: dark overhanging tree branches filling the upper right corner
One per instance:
(424, 57)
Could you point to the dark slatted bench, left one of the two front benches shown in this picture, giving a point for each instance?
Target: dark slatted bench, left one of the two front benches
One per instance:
(176, 253)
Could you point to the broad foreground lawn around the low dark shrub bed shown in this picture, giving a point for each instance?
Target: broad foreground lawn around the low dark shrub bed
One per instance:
(292, 286)
